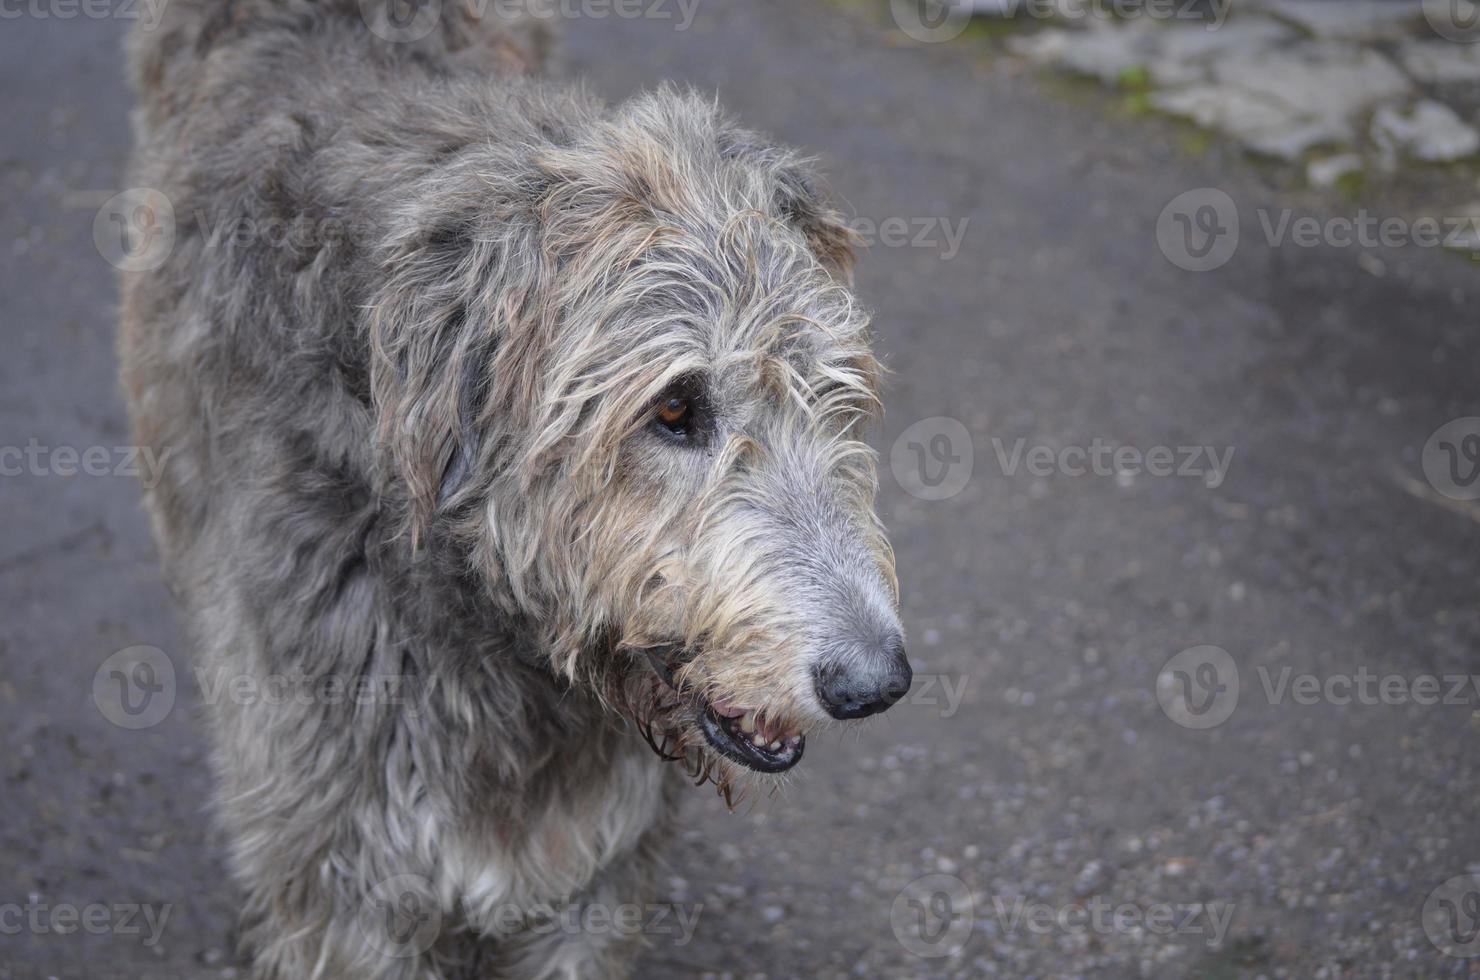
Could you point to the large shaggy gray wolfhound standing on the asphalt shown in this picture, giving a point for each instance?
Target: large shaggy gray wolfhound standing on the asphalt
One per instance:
(516, 433)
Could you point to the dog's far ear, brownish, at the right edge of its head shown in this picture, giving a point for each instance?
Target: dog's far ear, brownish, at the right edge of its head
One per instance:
(800, 201)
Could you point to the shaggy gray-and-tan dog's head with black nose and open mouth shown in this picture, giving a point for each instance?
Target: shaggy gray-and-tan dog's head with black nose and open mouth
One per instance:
(625, 369)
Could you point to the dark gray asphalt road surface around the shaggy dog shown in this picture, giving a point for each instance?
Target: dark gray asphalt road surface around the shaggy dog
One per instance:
(1072, 825)
